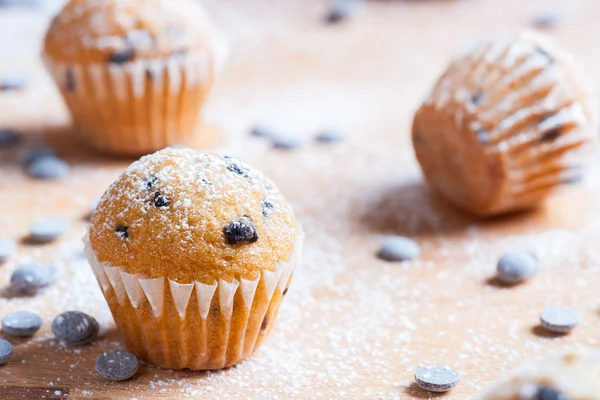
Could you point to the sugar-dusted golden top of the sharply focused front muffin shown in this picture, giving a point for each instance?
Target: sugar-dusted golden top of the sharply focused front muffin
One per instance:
(189, 215)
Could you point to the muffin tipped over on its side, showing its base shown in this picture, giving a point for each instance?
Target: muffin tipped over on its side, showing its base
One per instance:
(509, 121)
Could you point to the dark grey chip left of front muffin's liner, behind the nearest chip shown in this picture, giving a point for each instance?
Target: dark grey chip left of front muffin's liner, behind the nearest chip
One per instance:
(75, 328)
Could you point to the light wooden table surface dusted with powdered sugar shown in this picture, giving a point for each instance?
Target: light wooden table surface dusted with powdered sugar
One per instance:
(352, 326)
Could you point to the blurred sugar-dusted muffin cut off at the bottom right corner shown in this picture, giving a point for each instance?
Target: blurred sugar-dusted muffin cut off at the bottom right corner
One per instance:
(569, 375)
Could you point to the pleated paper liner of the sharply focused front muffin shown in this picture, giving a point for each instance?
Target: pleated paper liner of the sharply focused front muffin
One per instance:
(135, 292)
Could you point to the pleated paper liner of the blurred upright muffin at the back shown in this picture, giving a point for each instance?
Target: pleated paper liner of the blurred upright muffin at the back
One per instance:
(140, 106)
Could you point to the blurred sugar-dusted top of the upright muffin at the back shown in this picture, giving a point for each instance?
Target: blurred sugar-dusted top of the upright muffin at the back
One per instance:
(118, 31)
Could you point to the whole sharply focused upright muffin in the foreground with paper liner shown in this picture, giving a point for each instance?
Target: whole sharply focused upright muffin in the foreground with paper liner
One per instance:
(194, 252)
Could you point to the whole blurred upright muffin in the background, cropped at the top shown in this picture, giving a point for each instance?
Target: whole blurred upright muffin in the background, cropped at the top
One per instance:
(134, 73)
